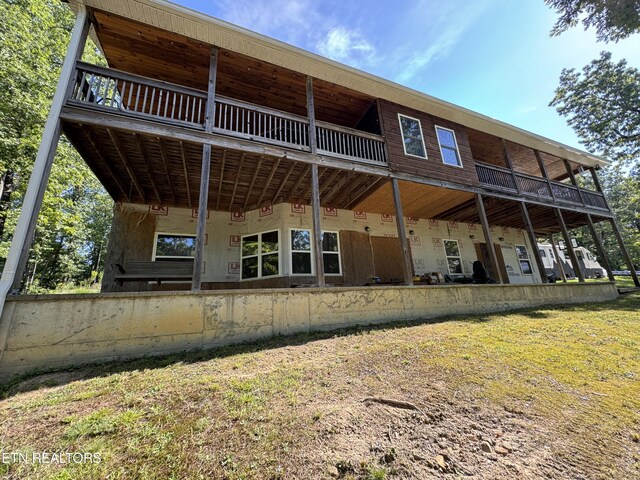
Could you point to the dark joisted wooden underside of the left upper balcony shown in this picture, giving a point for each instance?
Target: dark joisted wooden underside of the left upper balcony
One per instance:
(147, 169)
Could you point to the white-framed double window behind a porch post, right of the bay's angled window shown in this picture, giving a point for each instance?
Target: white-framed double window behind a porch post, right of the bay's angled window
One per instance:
(301, 262)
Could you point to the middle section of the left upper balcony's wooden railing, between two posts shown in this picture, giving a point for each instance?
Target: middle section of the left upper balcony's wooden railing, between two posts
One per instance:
(254, 122)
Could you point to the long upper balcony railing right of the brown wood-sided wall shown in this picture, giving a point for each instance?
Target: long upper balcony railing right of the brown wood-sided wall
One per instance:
(503, 179)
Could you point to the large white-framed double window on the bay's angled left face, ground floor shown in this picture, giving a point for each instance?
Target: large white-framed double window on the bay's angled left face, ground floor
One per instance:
(260, 255)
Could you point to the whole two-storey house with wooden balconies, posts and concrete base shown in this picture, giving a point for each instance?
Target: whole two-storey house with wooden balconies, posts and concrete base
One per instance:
(245, 166)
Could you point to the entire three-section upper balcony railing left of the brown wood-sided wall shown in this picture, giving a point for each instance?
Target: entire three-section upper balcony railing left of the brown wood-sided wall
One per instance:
(105, 88)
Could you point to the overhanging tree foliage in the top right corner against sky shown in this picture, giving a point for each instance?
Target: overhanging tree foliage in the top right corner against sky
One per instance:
(613, 20)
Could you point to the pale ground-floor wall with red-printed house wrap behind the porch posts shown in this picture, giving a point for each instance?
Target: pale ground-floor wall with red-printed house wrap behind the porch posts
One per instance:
(224, 230)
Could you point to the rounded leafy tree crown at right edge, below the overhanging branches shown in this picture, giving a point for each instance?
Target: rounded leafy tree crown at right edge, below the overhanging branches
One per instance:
(602, 104)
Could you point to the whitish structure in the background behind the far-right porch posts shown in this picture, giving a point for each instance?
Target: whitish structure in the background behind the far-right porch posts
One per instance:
(558, 266)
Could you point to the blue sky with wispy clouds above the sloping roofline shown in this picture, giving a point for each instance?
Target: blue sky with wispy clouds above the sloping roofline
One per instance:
(492, 56)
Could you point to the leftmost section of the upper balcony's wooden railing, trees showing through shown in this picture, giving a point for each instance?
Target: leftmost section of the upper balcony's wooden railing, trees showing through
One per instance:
(113, 89)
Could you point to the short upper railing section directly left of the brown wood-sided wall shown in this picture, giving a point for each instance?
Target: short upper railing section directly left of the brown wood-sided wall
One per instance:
(350, 144)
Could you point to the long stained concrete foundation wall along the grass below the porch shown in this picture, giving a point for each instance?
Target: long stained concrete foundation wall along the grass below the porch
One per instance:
(42, 332)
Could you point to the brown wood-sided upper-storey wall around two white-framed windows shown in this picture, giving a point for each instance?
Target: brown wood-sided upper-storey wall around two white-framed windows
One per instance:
(432, 166)
